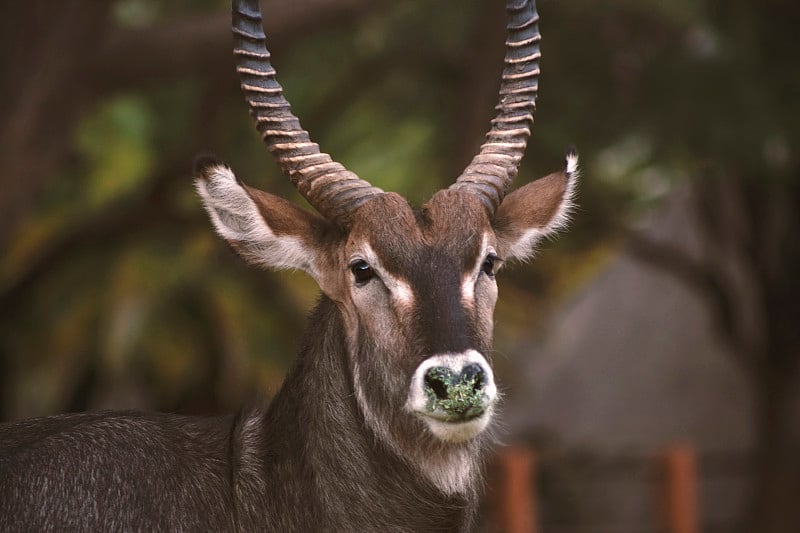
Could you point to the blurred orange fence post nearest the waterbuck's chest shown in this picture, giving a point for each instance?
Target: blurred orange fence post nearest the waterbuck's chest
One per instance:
(516, 500)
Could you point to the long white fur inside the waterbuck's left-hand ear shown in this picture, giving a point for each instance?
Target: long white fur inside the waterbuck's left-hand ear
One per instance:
(236, 219)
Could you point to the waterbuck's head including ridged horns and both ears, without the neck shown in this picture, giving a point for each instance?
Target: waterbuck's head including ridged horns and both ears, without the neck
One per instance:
(415, 287)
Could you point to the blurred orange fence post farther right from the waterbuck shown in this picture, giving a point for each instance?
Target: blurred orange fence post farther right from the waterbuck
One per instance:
(678, 491)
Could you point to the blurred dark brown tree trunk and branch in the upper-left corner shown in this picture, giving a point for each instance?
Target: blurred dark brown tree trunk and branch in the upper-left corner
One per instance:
(48, 92)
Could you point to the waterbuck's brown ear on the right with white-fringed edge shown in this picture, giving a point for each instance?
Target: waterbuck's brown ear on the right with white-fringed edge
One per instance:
(536, 210)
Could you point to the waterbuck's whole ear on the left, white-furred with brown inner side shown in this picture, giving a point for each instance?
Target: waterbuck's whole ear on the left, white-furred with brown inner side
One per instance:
(264, 229)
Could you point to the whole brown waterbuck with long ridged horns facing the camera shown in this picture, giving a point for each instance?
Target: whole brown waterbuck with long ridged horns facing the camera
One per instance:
(382, 423)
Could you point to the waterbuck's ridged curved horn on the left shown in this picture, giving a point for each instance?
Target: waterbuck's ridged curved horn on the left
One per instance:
(330, 188)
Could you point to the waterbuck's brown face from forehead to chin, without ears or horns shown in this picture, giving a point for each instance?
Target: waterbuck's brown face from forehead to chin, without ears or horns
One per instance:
(420, 293)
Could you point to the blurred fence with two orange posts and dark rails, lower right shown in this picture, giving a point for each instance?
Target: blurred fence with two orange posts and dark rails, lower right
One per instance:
(663, 492)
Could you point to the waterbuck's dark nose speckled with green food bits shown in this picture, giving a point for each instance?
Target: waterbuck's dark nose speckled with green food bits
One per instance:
(459, 394)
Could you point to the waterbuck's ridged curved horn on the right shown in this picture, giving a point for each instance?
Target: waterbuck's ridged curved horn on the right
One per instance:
(490, 173)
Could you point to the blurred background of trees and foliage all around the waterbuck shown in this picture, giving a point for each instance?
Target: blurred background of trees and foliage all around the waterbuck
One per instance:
(667, 315)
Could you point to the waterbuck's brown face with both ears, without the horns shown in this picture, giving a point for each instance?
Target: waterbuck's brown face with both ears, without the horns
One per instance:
(416, 289)
